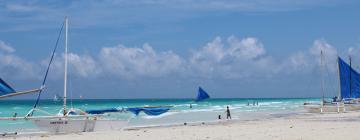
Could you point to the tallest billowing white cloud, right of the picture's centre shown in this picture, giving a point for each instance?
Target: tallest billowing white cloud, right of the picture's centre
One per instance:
(234, 59)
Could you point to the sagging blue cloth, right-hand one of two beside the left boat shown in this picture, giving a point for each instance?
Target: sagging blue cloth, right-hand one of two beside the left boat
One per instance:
(148, 111)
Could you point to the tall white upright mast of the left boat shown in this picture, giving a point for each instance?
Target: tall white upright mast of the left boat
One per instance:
(66, 63)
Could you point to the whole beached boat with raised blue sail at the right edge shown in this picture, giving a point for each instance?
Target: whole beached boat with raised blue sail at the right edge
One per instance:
(348, 98)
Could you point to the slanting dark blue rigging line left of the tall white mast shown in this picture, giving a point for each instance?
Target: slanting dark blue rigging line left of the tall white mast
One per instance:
(48, 67)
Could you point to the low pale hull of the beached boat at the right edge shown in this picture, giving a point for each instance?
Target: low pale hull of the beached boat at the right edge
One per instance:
(332, 108)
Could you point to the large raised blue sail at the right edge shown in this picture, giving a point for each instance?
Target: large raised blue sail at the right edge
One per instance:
(349, 80)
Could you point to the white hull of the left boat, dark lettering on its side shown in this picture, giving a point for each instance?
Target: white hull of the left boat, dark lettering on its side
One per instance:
(65, 126)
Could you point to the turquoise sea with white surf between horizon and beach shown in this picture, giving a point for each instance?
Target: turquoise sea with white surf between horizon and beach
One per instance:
(180, 112)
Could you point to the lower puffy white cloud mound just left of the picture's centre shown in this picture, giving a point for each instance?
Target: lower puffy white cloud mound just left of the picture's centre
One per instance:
(130, 62)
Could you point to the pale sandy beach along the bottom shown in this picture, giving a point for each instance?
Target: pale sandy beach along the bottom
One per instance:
(297, 127)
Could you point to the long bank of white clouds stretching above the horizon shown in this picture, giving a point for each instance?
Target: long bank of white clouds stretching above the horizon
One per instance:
(234, 58)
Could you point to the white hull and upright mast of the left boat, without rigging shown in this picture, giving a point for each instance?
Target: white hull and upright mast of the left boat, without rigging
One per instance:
(74, 120)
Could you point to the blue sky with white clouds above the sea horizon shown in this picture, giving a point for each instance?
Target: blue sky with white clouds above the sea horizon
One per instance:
(123, 49)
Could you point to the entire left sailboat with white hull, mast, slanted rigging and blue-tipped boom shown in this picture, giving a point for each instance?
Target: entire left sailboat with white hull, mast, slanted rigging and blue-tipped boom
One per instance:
(68, 119)
